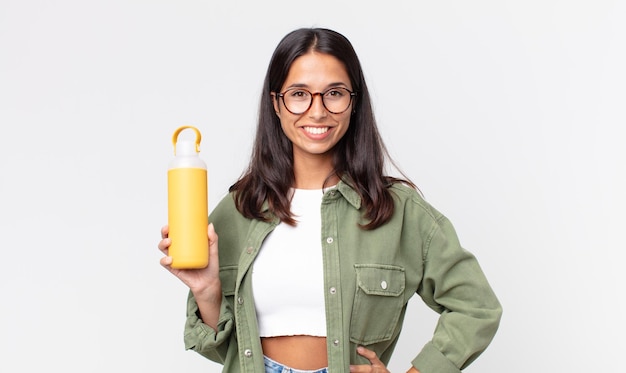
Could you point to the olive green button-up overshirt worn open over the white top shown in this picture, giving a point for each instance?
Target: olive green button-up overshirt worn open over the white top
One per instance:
(369, 277)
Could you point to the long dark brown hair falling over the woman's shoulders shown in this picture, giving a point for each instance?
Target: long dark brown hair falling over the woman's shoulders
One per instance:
(359, 157)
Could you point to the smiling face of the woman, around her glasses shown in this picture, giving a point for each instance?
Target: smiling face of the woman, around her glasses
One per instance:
(315, 132)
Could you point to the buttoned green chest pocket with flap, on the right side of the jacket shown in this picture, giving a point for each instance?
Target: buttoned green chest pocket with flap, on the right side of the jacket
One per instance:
(378, 302)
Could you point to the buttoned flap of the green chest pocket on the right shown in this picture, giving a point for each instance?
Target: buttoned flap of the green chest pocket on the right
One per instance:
(378, 279)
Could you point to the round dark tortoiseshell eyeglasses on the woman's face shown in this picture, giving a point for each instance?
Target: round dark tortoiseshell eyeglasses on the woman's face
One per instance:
(299, 100)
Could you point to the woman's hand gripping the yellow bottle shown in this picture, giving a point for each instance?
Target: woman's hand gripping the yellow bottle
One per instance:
(204, 282)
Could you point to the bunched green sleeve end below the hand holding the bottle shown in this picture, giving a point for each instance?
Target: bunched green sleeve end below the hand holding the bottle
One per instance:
(199, 337)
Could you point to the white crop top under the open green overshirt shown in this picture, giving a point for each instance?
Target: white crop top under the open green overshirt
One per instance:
(288, 277)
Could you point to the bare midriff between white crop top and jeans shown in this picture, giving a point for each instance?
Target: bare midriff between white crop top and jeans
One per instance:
(303, 352)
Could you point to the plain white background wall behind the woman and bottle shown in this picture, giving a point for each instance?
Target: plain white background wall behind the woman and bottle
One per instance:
(509, 115)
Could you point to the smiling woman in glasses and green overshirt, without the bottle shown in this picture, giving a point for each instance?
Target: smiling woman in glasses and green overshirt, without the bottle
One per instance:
(319, 251)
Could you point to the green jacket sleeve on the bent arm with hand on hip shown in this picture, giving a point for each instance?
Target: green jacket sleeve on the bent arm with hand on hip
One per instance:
(455, 286)
